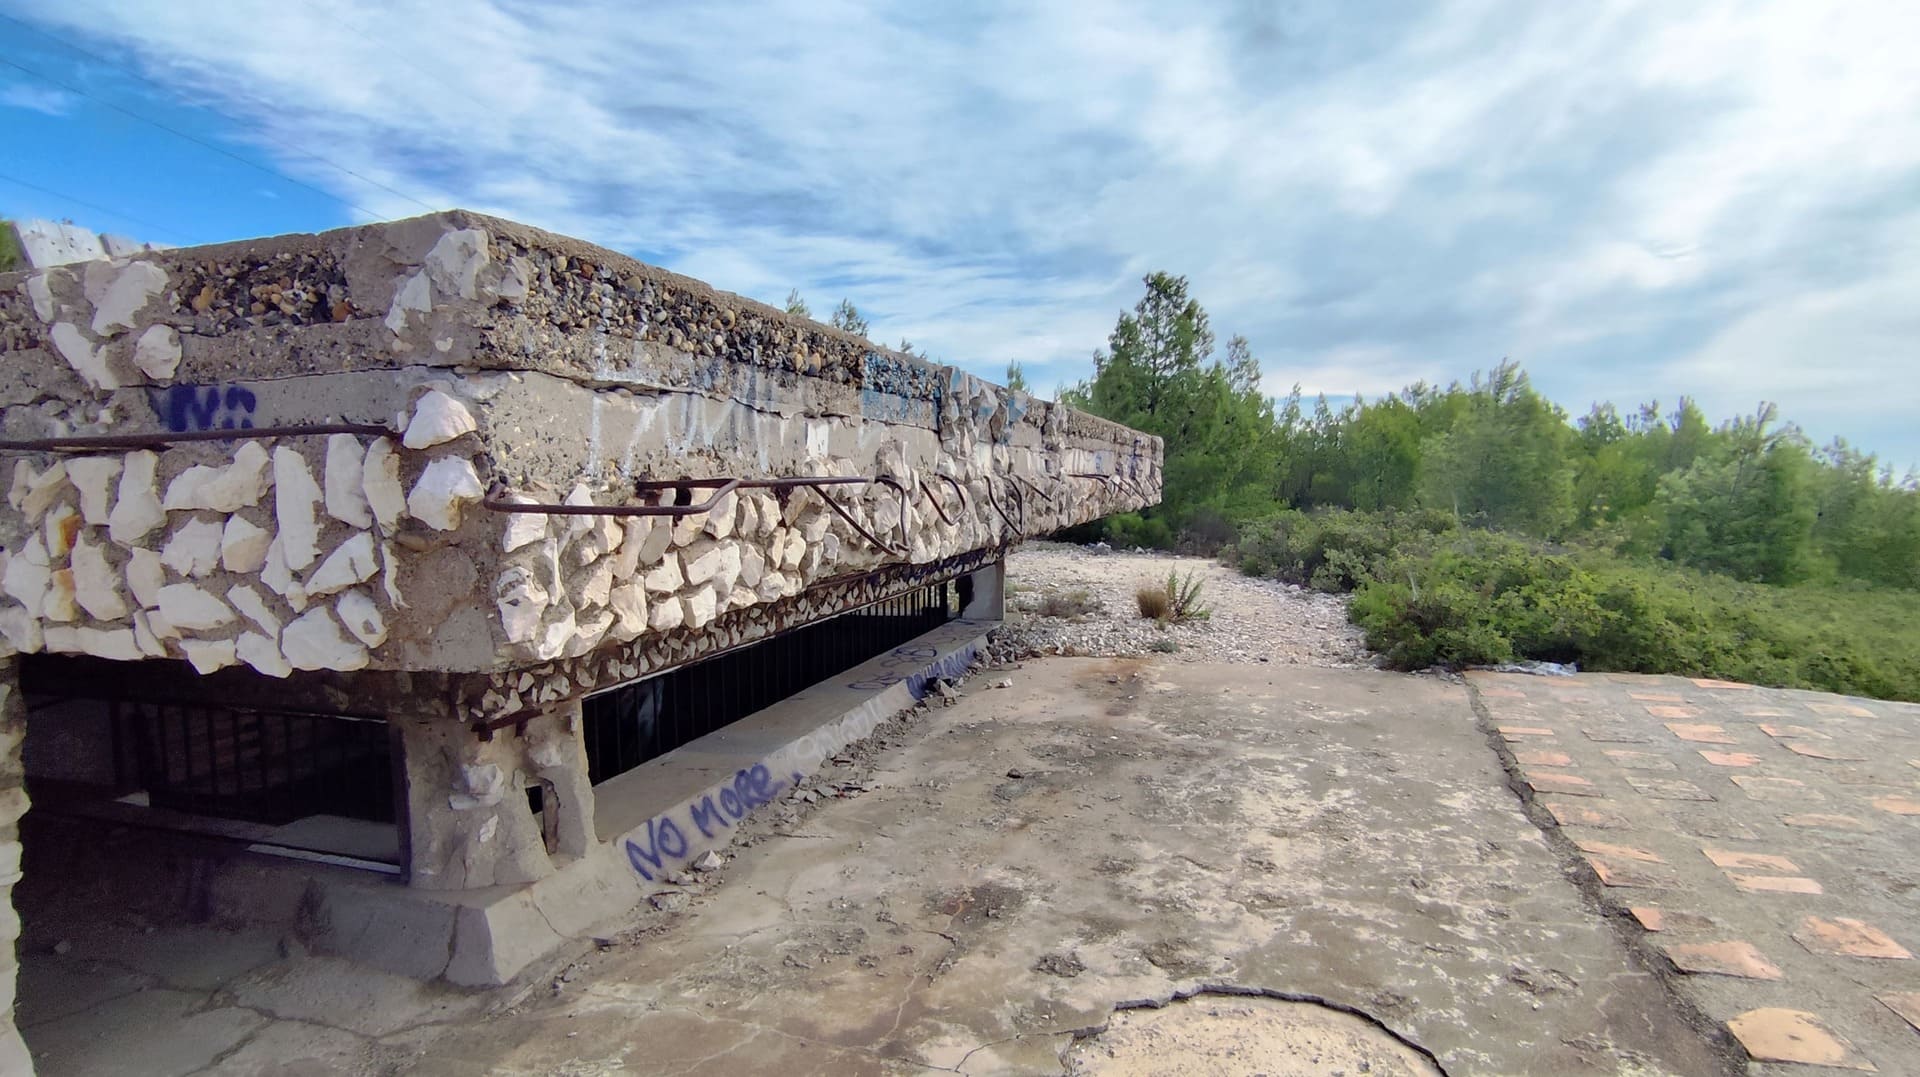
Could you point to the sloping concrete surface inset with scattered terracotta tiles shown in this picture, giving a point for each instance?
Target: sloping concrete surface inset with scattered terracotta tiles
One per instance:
(1775, 873)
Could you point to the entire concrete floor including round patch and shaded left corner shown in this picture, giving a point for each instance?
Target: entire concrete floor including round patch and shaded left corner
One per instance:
(1330, 865)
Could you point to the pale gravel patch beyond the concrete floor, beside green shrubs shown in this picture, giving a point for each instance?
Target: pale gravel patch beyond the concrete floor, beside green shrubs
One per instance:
(1253, 621)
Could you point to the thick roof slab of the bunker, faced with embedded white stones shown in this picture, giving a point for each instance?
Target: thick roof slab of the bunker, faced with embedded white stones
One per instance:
(498, 358)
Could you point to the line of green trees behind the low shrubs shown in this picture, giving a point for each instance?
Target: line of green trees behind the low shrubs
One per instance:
(1750, 498)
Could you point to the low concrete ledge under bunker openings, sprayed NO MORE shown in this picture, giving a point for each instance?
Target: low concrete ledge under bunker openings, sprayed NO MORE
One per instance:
(491, 938)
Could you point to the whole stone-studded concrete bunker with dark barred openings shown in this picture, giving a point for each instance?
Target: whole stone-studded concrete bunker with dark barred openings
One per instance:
(437, 583)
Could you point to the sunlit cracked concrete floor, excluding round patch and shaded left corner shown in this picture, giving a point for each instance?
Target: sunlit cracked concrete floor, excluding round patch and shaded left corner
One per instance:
(1149, 828)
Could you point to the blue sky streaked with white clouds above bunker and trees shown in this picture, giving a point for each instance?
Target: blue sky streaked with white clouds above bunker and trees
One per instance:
(1633, 201)
